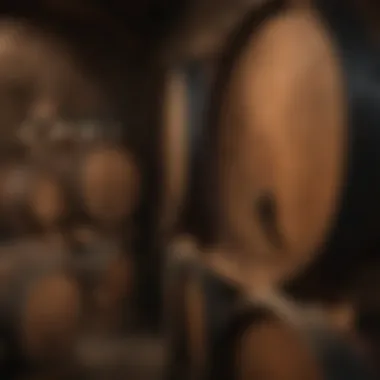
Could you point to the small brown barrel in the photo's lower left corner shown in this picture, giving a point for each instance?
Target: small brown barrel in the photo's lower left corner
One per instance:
(40, 306)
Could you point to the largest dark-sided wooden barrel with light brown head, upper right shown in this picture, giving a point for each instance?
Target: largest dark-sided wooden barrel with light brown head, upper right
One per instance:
(282, 181)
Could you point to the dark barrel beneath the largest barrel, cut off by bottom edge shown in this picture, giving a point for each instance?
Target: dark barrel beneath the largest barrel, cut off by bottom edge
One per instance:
(216, 332)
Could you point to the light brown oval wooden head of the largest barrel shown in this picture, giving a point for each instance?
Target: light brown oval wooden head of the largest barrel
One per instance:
(281, 147)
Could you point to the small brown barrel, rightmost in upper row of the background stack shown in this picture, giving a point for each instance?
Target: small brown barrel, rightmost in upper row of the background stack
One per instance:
(101, 183)
